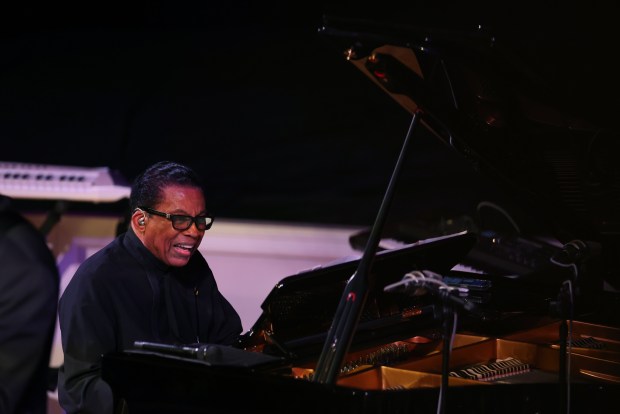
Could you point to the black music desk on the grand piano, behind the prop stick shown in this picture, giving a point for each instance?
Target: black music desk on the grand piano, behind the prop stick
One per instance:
(299, 310)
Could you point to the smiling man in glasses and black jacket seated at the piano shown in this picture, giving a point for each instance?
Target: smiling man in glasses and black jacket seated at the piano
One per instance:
(149, 284)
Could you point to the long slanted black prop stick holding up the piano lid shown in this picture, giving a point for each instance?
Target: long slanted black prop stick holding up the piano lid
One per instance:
(356, 290)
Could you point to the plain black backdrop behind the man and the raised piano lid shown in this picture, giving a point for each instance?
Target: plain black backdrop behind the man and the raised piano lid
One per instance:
(281, 126)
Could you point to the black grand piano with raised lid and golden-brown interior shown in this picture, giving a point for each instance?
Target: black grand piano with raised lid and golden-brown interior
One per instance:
(405, 329)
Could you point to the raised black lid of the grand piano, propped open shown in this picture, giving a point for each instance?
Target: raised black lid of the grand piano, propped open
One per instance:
(531, 109)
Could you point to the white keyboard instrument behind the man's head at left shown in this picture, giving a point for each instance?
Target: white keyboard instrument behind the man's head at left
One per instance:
(52, 182)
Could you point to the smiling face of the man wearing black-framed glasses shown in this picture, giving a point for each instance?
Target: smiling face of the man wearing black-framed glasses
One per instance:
(171, 246)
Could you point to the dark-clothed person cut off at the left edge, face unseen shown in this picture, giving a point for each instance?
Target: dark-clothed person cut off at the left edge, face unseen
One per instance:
(29, 283)
